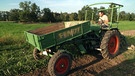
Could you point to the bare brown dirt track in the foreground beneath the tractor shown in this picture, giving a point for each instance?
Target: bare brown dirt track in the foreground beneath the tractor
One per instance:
(86, 65)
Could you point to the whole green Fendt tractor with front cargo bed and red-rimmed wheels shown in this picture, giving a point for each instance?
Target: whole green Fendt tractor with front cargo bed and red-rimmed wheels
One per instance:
(84, 35)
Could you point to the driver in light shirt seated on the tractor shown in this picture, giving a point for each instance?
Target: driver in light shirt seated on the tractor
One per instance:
(103, 19)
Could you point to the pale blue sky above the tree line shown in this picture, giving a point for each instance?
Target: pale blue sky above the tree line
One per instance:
(65, 5)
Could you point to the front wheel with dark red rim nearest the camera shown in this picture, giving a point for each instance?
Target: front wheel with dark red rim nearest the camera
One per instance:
(59, 64)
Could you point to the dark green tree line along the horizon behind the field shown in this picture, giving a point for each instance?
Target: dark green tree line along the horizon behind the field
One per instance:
(30, 12)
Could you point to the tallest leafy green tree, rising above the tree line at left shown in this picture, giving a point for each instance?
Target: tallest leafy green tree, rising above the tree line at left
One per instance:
(30, 12)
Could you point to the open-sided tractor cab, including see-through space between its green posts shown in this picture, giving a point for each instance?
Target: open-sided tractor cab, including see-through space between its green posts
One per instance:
(110, 9)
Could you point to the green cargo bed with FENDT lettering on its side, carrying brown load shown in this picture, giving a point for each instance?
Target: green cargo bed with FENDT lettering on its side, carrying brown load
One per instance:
(56, 34)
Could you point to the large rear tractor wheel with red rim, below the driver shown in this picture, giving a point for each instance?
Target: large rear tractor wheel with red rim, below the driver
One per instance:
(110, 44)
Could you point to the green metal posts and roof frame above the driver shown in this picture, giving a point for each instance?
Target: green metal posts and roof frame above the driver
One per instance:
(117, 6)
